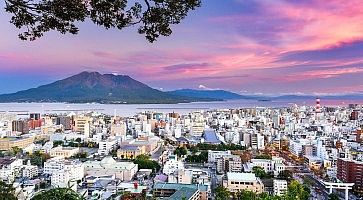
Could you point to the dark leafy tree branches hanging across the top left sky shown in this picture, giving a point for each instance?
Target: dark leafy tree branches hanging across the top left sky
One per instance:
(153, 17)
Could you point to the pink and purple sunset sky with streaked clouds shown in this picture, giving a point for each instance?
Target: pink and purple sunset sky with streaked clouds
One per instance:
(244, 46)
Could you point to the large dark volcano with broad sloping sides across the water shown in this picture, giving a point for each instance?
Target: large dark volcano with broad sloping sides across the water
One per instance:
(91, 86)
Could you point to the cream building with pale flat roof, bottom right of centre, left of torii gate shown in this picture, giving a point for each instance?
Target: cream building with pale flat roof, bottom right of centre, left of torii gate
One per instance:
(235, 182)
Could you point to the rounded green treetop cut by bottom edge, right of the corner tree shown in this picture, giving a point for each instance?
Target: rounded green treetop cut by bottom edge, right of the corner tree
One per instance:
(59, 194)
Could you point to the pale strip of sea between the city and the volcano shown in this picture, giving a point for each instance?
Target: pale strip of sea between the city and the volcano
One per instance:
(127, 110)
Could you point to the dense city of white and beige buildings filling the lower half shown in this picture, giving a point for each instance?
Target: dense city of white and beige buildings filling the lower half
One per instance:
(295, 152)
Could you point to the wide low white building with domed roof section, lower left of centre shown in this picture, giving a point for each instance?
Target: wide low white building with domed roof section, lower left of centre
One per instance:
(109, 167)
